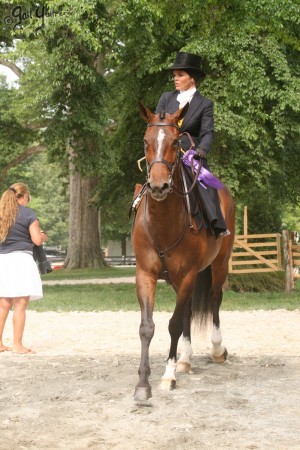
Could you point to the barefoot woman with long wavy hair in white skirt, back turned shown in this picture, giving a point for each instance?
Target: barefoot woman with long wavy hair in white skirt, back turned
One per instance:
(19, 276)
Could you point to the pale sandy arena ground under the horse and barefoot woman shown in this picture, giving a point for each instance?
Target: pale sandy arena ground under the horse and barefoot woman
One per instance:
(76, 393)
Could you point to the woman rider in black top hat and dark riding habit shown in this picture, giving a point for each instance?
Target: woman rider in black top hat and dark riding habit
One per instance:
(197, 130)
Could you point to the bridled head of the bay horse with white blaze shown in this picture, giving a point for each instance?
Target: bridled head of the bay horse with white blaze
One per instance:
(162, 150)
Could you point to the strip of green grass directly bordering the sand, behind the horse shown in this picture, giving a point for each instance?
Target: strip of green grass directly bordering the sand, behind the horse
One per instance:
(116, 297)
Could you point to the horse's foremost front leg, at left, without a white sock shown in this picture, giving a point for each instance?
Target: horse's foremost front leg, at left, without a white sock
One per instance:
(145, 292)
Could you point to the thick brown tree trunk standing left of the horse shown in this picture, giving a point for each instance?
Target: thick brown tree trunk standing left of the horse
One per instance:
(84, 250)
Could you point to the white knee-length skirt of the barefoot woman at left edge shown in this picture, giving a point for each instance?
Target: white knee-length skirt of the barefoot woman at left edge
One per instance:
(19, 276)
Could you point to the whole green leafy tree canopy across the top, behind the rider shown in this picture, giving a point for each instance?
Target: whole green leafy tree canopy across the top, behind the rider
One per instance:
(85, 71)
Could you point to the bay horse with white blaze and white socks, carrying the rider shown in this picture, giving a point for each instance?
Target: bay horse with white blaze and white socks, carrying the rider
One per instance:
(195, 263)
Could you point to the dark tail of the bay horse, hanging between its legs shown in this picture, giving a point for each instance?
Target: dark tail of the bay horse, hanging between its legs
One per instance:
(202, 307)
